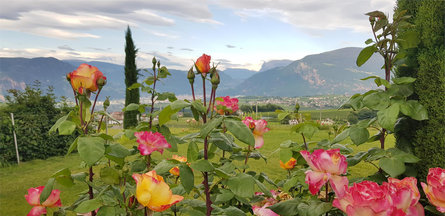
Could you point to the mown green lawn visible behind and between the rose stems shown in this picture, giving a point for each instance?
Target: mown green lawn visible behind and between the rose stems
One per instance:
(15, 180)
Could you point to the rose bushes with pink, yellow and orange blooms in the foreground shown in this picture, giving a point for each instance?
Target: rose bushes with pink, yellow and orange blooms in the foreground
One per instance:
(132, 182)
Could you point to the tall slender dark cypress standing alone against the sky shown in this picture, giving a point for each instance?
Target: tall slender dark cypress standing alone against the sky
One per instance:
(131, 77)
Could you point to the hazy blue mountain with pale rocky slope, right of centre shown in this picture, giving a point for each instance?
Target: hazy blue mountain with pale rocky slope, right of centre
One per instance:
(333, 72)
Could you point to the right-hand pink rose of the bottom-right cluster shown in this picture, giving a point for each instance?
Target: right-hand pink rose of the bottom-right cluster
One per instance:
(405, 196)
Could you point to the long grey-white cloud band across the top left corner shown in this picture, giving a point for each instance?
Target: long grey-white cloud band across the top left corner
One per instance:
(73, 19)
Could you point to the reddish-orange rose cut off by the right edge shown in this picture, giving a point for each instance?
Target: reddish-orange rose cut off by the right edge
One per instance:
(435, 189)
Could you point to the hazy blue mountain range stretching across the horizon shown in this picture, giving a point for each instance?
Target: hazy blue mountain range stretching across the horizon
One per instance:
(333, 72)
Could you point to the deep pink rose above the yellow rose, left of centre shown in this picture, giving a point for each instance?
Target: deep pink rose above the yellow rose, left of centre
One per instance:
(150, 142)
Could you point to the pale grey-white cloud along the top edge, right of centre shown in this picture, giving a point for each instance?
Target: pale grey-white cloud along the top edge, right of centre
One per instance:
(311, 14)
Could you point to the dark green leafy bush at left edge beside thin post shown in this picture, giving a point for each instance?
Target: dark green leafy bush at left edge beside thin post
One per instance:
(34, 113)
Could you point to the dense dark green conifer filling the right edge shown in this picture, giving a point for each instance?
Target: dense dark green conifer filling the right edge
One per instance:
(427, 63)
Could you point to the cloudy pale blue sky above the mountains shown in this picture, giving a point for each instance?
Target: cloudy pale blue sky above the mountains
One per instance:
(236, 33)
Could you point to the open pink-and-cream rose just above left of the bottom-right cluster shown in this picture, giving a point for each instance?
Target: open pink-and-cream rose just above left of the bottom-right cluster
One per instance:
(326, 165)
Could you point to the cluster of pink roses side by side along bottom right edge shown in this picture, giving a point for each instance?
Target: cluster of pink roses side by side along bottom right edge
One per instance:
(392, 198)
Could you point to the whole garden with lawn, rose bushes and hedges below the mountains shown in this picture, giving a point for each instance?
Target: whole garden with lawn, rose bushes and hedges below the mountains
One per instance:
(222, 162)
